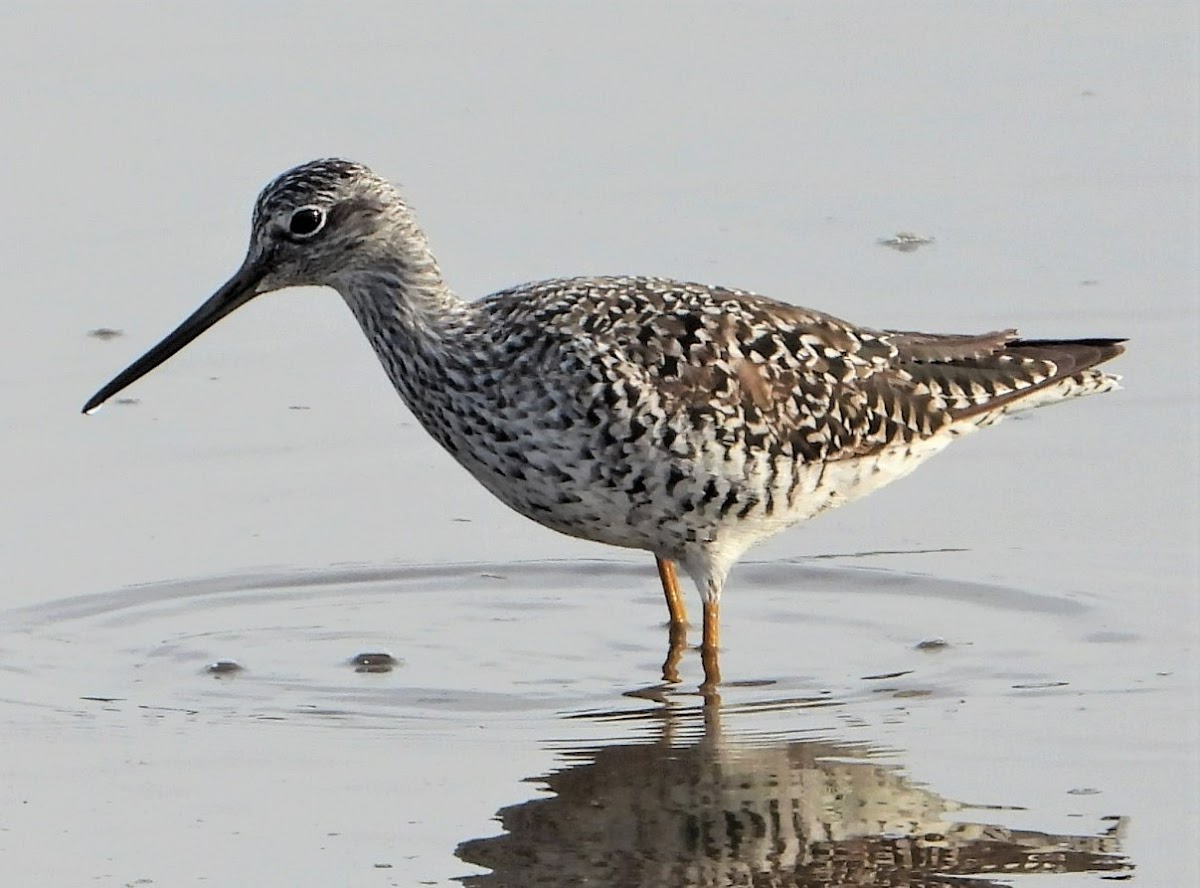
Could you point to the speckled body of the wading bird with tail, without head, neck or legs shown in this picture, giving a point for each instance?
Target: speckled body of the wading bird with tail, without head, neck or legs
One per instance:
(703, 419)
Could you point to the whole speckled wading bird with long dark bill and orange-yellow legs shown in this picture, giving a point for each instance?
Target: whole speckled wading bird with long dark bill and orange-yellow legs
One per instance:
(687, 421)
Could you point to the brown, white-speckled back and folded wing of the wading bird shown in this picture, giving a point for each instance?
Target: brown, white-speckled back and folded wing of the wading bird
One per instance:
(727, 358)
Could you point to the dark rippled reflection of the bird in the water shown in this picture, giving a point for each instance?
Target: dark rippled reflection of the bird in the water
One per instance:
(685, 811)
